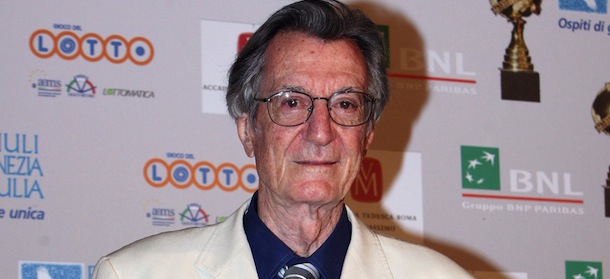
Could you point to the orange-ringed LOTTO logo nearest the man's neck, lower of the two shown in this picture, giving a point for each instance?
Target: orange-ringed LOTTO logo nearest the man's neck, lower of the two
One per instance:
(203, 175)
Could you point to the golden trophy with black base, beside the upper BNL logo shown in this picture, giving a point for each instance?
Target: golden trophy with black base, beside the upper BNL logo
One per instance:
(519, 80)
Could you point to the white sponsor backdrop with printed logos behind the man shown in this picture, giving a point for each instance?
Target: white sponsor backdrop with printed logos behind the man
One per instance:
(113, 127)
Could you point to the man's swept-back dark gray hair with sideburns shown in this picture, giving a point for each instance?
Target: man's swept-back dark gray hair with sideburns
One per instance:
(324, 19)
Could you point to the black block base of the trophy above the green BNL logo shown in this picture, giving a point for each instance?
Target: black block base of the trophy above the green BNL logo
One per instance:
(520, 86)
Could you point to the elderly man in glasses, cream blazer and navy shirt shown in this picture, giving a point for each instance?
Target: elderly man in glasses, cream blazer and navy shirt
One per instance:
(305, 93)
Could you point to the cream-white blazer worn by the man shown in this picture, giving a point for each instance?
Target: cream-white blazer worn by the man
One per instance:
(222, 251)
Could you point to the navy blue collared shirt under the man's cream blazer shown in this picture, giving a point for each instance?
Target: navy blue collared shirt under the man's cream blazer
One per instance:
(271, 254)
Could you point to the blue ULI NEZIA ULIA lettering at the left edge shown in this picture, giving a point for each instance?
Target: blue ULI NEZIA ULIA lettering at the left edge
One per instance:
(20, 167)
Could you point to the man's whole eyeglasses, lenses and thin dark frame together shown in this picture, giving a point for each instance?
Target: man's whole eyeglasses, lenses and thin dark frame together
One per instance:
(346, 108)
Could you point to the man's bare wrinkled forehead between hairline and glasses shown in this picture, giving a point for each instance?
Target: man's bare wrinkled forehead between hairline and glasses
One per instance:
(296, 60)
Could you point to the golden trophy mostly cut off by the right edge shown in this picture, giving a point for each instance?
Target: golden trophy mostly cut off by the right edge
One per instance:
(601, 116)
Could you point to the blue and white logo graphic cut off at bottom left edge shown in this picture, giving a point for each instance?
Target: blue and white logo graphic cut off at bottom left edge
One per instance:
(37, 270)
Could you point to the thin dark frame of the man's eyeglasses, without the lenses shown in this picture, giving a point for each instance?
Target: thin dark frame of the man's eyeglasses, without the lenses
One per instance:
(368, 98)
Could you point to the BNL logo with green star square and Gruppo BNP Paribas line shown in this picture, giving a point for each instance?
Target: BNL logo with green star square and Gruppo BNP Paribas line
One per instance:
(528, 191)
